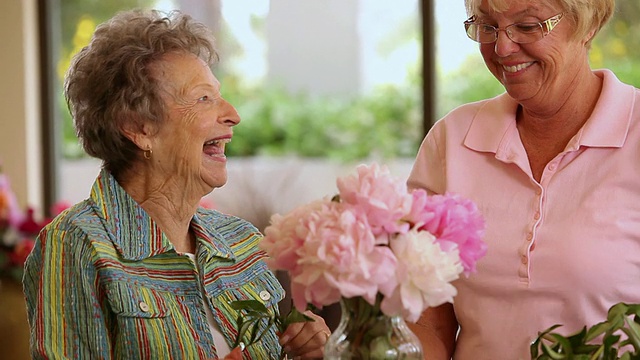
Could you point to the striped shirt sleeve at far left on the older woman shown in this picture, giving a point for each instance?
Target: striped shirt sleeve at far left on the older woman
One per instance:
(62, 295)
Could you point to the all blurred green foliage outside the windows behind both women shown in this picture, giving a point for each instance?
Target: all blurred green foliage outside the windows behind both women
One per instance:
(385, 123)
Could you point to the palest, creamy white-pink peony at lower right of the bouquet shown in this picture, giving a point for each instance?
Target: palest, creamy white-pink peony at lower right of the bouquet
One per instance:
(424, 275)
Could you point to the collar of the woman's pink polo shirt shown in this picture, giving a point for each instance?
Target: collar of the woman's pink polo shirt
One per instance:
(493, 127)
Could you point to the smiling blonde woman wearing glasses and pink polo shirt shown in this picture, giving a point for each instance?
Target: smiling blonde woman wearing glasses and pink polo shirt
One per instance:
(553, 165)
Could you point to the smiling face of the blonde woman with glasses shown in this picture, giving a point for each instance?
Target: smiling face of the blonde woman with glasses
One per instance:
(536, 73)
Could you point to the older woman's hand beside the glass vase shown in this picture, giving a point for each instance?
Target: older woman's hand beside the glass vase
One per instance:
(305, 340)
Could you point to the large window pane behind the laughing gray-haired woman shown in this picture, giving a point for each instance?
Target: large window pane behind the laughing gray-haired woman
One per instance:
(303, 74)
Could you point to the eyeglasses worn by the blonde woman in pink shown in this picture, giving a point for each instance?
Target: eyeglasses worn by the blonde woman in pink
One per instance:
(521, 33)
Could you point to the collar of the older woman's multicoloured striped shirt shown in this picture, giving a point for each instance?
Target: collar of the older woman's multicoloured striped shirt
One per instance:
(135, 234)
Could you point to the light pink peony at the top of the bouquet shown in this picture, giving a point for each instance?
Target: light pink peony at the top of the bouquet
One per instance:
(384, 199)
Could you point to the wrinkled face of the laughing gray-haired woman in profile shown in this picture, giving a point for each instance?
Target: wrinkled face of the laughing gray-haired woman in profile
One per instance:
(188, 149)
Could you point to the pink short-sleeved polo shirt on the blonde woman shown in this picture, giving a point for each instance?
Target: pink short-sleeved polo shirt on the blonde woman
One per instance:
(561, 251)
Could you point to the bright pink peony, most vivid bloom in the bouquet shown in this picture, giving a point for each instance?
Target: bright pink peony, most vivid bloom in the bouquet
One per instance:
(454, 221)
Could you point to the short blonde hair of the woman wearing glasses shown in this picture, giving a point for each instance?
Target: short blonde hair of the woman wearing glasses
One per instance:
(585, 15)
